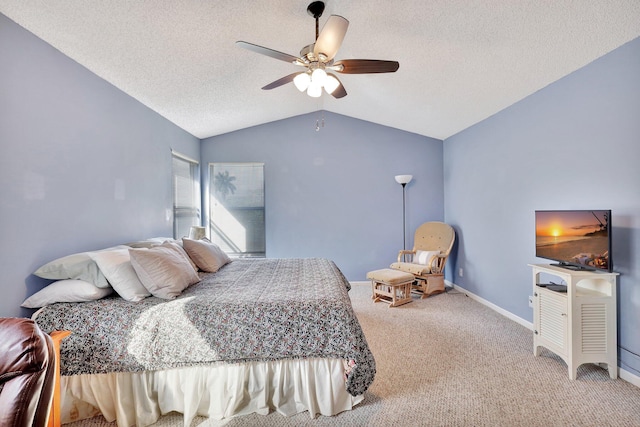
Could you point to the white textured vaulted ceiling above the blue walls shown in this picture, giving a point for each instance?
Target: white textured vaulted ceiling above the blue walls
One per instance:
(461, 61)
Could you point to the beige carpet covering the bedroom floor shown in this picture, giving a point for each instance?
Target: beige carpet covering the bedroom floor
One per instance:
(450, 361)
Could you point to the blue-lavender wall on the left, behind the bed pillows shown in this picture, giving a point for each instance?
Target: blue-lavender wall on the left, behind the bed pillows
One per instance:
(82, 165)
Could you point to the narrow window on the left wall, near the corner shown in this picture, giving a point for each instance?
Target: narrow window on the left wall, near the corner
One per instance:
(186, 194)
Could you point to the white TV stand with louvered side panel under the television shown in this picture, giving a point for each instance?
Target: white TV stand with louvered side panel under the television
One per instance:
(579, 325)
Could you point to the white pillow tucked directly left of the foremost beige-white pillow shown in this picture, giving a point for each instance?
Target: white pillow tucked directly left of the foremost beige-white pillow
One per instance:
(116, 267)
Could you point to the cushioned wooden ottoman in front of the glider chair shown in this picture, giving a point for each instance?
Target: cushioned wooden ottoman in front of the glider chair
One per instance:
(391, 286)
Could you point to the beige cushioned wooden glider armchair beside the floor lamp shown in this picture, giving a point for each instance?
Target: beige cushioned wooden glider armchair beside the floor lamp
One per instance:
(431, 247)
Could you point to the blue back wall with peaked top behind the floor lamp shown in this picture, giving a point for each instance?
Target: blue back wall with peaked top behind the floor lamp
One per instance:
(332, 193)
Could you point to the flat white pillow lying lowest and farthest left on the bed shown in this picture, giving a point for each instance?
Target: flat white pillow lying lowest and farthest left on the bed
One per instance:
(70, 290)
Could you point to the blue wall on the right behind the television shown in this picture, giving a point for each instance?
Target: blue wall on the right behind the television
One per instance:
(573, 145)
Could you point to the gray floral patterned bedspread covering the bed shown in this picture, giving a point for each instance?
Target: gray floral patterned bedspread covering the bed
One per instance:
(264, 309)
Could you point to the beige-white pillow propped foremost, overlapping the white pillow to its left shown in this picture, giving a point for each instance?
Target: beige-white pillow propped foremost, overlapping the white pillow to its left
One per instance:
(164, 271)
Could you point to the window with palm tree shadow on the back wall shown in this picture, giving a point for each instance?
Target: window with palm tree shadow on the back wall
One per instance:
(236, 208)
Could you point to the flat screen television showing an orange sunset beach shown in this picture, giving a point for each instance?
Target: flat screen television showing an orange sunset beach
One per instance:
(576, 239)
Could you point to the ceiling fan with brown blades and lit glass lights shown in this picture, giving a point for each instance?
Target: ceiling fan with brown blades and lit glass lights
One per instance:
(318, 59)
